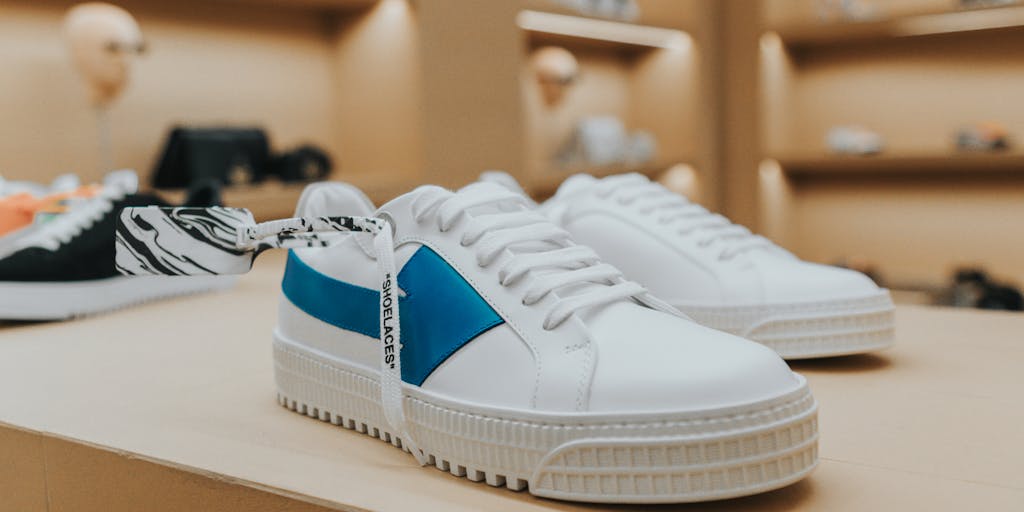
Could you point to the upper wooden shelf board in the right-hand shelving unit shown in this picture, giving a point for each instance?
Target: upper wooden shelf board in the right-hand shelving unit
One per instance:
(945, 23)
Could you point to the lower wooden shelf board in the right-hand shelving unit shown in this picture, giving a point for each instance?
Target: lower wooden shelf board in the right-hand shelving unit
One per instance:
(953, 163)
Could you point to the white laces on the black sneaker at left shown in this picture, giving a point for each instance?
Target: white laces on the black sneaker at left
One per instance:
(83, 214)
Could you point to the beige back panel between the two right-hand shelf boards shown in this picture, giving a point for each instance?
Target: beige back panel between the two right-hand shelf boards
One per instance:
(915, 93)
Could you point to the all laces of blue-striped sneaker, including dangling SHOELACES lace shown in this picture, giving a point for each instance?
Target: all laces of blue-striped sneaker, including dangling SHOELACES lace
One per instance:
(498, 224)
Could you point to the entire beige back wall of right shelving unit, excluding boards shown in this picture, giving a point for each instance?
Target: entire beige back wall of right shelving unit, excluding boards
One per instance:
(915, 93)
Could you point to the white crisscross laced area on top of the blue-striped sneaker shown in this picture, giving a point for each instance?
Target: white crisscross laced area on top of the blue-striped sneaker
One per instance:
(498, 223)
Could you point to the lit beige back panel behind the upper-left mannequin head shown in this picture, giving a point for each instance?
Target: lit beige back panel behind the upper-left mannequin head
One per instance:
(208, 63)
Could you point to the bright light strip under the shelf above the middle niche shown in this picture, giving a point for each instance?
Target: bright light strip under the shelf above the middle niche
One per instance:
(603, 30)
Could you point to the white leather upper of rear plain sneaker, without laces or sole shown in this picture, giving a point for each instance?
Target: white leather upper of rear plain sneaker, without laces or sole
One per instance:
(685, 271)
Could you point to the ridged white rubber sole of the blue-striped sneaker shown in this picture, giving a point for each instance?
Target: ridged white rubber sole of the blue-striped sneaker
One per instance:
(630, 458)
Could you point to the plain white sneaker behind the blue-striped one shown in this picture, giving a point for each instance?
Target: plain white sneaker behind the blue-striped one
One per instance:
(719, 274)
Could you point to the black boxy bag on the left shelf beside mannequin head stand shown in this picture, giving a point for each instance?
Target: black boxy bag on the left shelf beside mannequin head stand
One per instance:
(233, 156)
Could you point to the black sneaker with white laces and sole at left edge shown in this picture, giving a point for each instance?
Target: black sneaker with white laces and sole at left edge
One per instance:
(67, 269)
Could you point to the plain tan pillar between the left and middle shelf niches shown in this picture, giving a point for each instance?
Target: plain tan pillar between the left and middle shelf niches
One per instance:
(472, 92)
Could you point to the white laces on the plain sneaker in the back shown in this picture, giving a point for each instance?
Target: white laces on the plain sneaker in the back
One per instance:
(676, 211)
